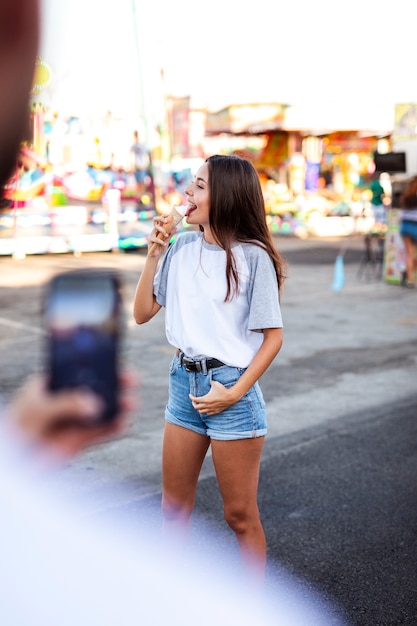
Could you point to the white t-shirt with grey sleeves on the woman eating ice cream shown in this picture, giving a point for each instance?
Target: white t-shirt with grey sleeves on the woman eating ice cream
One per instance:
(191, 284)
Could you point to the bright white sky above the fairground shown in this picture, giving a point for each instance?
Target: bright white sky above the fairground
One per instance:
(108, 56)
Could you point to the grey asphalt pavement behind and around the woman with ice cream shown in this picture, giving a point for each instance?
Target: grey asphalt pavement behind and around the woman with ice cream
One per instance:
(338, 477)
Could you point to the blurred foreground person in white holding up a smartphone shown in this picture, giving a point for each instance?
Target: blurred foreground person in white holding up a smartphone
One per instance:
(57, 566)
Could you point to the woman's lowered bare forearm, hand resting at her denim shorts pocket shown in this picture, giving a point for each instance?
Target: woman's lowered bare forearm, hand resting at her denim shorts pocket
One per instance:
(220, 398)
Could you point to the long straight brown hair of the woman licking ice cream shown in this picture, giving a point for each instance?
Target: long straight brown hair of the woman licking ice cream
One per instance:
(237, 213)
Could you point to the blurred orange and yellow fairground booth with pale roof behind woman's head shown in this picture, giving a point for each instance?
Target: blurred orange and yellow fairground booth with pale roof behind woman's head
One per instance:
(316, 176)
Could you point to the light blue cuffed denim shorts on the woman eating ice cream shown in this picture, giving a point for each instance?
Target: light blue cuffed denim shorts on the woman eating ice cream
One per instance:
(243, 420)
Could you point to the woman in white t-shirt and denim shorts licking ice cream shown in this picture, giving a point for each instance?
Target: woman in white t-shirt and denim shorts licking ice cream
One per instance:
(220, 287)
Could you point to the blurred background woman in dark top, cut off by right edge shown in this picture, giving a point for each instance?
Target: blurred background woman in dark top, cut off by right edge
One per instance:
(408, 231)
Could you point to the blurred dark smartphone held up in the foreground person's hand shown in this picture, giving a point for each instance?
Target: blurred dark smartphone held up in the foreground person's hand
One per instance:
(83, 320)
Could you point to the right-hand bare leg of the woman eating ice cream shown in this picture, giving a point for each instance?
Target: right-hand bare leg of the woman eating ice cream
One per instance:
(237, 465)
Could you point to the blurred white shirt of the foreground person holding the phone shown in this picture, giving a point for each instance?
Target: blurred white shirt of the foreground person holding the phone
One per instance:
(61, 568)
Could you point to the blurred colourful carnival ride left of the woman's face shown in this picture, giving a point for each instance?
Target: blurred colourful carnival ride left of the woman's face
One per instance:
(89, 211)
